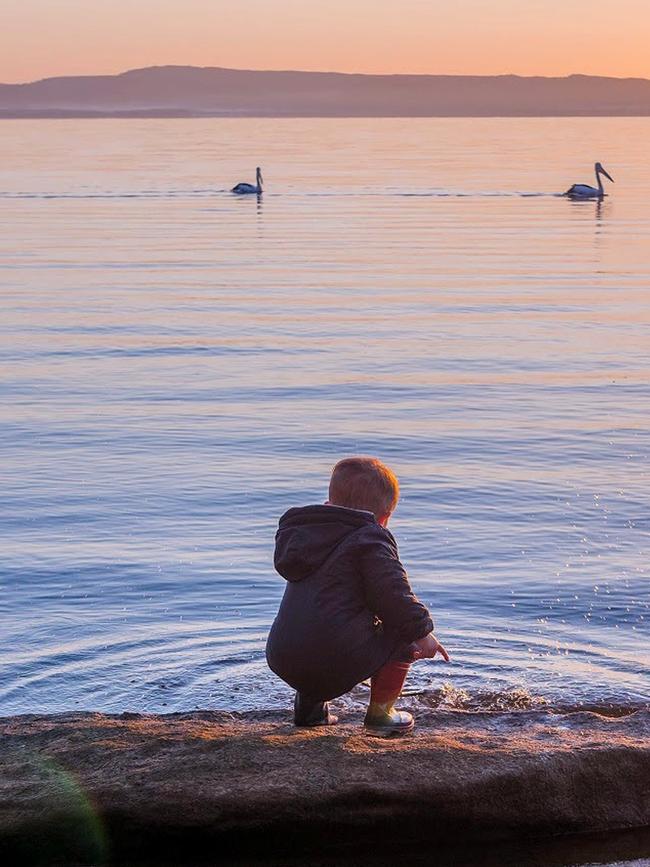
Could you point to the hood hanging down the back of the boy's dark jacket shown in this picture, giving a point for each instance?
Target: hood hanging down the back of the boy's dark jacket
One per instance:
(308, 535)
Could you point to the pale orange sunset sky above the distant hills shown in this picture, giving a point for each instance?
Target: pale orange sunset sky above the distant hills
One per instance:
(40, 38)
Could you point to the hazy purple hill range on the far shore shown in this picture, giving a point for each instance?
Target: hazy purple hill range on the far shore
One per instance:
(179, 91)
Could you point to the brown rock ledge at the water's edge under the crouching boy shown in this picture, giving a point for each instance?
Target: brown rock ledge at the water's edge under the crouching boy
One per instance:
(90, 788)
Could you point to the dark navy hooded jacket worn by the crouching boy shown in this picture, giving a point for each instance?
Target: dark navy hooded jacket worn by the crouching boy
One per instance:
(348, 606)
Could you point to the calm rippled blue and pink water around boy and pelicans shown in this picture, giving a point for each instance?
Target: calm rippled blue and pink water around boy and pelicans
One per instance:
(179, 366)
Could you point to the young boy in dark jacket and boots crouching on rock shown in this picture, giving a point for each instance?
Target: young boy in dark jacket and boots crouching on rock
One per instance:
(348, 611)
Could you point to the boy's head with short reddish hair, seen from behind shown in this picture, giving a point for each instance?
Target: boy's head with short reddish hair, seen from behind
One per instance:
(364, 483)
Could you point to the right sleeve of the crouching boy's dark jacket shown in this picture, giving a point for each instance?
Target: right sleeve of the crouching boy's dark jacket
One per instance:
(388, 593)
